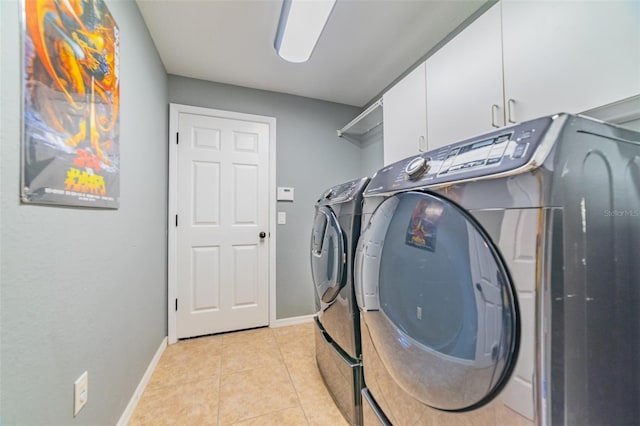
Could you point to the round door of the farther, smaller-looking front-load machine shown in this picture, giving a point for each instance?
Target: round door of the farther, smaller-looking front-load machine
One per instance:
(328, 255)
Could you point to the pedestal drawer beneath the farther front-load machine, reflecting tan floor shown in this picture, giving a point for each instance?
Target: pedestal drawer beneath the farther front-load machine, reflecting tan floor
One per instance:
(341, 374)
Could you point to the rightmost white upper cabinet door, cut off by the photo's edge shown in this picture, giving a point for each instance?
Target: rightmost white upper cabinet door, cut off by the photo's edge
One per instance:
(569, 56)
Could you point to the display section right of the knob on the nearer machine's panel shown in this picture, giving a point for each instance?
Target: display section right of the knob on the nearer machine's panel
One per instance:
(486, 152)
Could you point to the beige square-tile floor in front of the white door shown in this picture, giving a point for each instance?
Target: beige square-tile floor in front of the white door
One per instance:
(265, 376)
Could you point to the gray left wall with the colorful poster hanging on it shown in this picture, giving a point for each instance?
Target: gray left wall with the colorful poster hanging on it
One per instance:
(84, 289)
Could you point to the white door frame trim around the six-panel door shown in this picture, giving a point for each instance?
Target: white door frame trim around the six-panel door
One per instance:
(172, 255)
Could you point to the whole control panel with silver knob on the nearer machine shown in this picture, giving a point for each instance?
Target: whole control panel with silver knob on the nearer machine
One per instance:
(497, 152)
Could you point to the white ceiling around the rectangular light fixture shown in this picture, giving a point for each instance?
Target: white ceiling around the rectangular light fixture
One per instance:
(365, 46)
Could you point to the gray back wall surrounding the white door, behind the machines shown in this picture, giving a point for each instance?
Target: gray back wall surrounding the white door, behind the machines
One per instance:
(310, 158)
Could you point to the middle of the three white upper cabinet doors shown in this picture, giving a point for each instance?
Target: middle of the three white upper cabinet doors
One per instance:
(464, 83)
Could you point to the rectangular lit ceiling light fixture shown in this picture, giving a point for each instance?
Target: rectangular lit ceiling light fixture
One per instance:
(300, 26)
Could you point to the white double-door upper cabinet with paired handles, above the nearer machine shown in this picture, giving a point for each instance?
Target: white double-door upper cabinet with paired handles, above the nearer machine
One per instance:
(525, 59)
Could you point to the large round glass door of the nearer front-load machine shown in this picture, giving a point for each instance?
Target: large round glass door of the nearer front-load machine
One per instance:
(437, 300)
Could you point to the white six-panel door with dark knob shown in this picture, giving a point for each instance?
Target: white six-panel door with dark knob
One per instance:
(222, 205)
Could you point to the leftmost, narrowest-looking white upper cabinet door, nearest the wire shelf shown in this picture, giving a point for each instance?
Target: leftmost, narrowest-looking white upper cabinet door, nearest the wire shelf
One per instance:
(405, 117)
